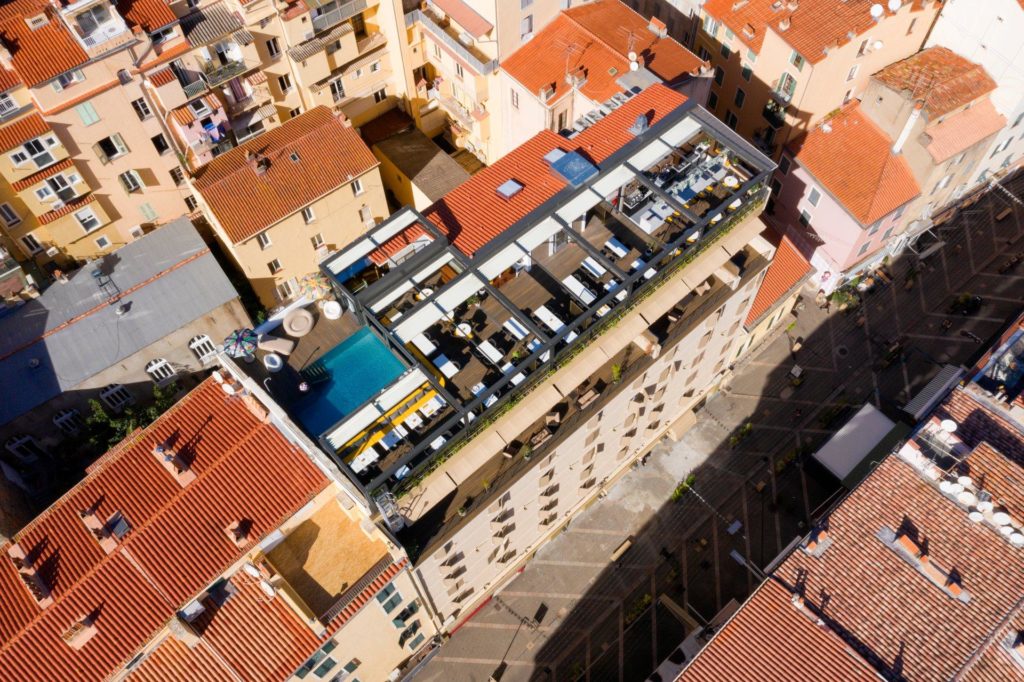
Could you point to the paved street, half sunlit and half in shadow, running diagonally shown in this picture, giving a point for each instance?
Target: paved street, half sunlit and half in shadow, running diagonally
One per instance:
(586, 619)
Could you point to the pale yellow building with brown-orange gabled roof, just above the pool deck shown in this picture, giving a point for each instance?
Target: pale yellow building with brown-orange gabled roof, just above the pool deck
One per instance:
(282, 203)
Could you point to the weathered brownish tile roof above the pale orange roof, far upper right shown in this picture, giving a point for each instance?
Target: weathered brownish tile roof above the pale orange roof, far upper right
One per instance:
(944, 79)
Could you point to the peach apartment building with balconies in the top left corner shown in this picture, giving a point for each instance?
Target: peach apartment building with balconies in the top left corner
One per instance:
(79, 183)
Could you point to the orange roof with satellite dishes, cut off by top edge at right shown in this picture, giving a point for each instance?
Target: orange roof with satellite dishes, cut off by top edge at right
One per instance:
(815, 25)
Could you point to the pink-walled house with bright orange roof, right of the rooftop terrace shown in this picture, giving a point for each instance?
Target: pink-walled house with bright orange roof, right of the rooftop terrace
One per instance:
(844, 195)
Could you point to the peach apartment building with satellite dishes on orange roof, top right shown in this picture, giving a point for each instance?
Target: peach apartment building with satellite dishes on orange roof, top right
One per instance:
(783, 66)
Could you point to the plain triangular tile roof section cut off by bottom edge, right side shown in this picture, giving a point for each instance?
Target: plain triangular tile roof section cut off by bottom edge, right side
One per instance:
(747, 649)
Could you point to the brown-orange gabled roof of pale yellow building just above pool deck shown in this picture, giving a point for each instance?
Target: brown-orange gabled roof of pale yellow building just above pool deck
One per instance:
(330, 152)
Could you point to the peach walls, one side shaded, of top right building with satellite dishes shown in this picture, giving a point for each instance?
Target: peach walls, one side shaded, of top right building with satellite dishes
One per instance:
(804, 89)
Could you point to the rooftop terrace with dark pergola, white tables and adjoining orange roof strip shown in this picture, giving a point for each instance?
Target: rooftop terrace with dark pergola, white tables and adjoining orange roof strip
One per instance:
(482, 310)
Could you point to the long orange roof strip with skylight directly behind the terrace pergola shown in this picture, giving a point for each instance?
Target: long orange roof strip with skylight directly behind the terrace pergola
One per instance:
(474, 214)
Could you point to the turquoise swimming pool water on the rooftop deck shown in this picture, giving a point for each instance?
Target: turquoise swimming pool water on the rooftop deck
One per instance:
(360, 367)
